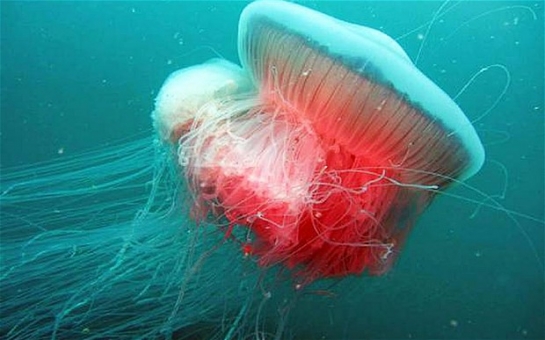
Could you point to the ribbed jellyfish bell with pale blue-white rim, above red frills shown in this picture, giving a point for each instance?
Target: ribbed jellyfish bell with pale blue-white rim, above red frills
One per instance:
(315, 63)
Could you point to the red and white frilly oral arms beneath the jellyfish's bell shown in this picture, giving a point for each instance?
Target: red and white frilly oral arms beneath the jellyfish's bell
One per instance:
(310, 204)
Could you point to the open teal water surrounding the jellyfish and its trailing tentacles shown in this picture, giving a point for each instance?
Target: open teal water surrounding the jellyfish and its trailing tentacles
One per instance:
(77, 76)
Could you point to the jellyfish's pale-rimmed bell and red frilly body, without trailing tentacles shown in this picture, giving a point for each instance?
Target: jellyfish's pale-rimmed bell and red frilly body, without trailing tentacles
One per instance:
(335, 152)
